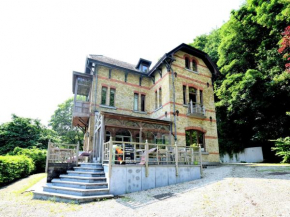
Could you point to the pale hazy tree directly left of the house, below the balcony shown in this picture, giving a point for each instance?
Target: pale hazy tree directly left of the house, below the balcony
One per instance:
(61, 122)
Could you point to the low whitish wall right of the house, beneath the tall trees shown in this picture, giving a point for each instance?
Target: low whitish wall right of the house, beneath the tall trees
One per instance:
(249, 155)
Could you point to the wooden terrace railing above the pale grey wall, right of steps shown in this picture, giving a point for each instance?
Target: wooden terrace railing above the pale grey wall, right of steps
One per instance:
(115, 152)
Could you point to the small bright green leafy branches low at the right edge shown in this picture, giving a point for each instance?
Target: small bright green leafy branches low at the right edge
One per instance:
(282, 148)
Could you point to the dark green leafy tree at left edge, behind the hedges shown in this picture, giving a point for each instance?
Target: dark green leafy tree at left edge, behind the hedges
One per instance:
(24, 133)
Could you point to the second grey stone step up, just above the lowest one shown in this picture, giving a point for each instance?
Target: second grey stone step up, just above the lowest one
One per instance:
(75, 191)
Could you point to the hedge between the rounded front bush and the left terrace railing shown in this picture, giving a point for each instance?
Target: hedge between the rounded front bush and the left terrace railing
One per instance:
(37, 155)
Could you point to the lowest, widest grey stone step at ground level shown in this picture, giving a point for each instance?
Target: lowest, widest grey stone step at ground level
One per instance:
(68, 198)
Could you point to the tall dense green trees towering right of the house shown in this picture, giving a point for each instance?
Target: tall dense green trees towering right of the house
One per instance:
(252, 93)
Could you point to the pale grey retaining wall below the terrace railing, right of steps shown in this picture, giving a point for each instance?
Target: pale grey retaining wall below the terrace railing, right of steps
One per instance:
(131, 178)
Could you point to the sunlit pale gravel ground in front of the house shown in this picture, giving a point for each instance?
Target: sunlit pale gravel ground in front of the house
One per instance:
(229, 190)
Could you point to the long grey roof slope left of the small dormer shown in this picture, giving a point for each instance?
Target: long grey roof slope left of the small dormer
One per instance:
(113, 62)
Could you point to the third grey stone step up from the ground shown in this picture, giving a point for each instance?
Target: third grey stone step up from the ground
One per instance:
(83, 185)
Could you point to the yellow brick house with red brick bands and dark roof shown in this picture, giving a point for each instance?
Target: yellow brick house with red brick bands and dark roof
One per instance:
(133, 93)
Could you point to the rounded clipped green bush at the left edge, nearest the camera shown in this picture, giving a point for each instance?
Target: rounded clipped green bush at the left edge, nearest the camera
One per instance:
(14, 167)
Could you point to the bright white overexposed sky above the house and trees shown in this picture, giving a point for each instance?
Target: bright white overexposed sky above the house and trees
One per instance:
(42, 42)
